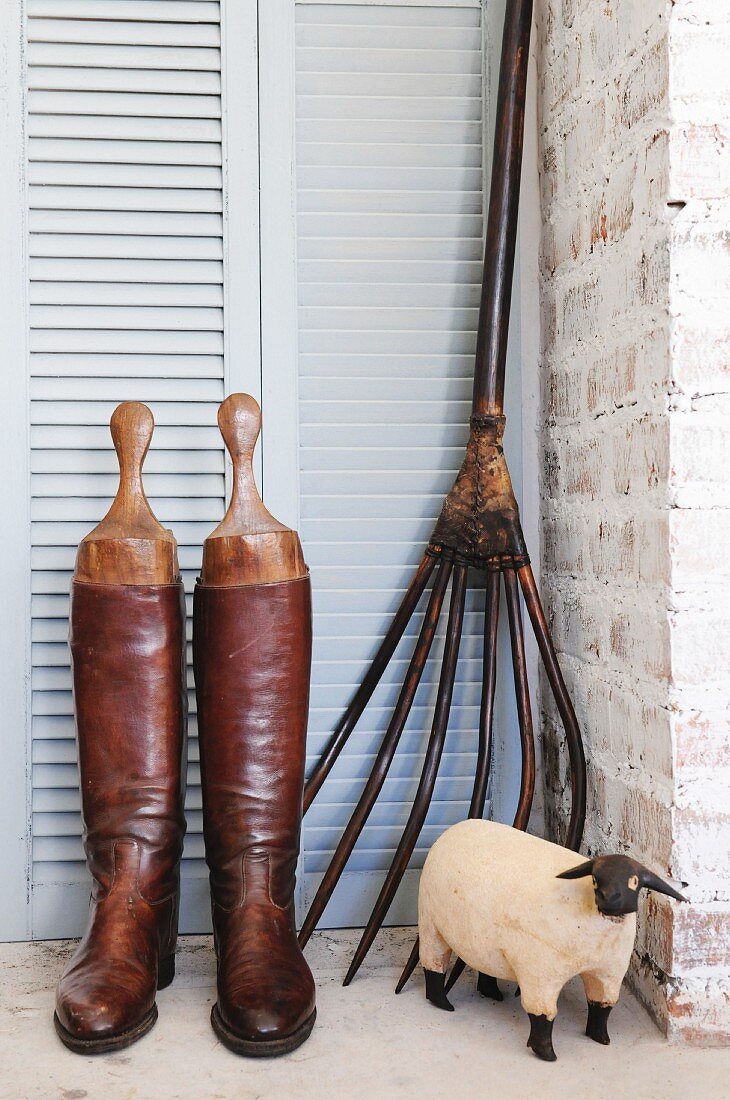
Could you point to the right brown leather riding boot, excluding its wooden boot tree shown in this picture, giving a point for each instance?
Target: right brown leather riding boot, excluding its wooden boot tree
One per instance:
(252, 650)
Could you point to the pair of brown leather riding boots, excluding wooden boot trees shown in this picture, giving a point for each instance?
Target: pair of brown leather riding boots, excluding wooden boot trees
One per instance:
(252, 655)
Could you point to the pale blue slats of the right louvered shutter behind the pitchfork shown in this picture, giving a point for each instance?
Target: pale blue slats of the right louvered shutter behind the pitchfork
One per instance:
(390, 214)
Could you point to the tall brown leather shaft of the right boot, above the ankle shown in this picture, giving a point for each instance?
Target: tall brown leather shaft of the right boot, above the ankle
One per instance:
(252, 652)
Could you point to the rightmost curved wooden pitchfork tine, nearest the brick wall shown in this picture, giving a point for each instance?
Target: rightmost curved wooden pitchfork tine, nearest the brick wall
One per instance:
(577, 753)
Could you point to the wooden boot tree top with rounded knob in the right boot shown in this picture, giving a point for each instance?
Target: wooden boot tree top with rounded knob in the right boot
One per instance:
(249, 546)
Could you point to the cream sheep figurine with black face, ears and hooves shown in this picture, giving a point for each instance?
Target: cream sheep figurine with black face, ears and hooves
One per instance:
(518, 908)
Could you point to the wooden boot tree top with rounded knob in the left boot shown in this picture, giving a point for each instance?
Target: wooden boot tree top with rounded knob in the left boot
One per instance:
(129, 546)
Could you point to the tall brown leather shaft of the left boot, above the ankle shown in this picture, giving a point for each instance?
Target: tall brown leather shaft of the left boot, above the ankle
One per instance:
(128, 657)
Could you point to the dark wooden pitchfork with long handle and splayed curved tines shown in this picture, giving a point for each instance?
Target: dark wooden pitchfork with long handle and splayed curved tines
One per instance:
(479, 527)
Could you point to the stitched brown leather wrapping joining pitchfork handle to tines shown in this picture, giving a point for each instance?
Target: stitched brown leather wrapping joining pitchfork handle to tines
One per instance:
(480, 521)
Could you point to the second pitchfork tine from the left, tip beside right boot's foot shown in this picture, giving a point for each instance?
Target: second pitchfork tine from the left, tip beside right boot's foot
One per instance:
(385, 755)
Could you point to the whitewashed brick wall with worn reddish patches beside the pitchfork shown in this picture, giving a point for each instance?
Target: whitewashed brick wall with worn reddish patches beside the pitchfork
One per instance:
(635, 158)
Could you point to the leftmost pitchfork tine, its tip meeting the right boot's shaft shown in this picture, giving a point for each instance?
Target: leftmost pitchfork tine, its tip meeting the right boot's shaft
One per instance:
(362, 697)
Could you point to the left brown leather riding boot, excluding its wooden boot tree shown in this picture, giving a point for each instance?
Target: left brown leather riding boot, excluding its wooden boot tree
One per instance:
(128, 650)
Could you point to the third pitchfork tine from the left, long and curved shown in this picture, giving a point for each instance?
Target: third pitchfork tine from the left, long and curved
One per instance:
(430, 769)
